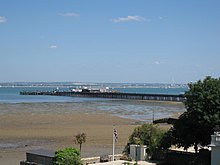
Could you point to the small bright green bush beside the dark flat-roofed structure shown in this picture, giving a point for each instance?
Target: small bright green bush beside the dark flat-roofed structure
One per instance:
(68, 156)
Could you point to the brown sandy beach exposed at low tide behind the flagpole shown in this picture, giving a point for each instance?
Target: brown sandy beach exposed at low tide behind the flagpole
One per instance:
(27, 129)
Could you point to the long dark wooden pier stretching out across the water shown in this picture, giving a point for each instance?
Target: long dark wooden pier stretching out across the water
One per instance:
(111, 95)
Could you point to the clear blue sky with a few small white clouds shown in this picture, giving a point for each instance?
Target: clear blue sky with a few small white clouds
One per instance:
(114, 41)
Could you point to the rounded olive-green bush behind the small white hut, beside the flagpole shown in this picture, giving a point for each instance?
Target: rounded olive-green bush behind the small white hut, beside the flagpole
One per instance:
(149, 135)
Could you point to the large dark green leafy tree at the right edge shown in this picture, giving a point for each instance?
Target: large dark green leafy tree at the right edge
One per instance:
(195, 126)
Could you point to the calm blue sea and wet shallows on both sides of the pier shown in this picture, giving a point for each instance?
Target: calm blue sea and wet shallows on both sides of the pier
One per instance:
(141, 110)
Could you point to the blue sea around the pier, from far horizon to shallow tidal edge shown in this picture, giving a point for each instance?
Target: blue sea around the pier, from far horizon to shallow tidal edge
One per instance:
(133, 109)
